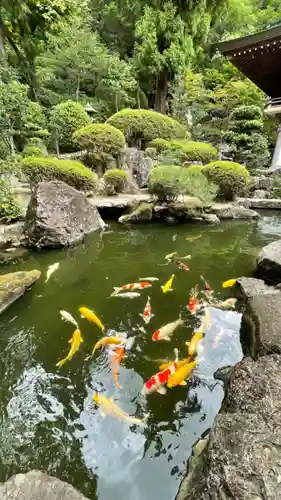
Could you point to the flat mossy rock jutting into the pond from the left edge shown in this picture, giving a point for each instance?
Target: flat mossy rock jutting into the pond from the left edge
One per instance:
(14, 285)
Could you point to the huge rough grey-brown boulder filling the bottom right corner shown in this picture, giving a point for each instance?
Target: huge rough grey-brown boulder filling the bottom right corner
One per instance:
(242, 459)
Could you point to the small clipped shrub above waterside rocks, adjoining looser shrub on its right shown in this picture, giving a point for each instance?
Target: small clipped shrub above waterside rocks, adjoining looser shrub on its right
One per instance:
(163, 182)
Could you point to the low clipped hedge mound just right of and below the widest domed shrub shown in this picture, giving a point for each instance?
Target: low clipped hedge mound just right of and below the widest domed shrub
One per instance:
(194, 151)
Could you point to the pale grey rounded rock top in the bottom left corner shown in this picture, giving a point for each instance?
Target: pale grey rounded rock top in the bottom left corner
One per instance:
(36, 485)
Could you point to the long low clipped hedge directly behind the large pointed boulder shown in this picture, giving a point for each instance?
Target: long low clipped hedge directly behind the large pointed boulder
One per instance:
(71, 172)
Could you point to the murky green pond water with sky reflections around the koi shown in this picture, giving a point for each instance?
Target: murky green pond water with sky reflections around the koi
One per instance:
(47, 416)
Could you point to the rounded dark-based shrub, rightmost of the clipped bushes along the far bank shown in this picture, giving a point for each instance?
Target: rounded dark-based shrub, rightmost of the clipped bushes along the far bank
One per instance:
(230, 177)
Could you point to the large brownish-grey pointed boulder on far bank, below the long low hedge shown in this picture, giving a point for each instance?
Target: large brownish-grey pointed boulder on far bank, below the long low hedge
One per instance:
(59, 216)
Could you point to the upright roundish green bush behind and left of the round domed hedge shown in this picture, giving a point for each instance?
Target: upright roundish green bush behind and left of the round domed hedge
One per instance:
(65, 119)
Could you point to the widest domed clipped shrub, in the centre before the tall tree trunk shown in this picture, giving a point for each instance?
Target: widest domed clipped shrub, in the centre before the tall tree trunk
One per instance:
(142, 125)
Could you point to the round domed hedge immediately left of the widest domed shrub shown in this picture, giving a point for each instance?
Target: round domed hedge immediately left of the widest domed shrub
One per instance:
(100, 138)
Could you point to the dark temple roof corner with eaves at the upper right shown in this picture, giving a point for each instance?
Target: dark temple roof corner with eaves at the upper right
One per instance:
(258, 57)
